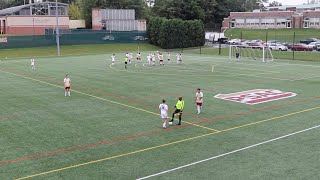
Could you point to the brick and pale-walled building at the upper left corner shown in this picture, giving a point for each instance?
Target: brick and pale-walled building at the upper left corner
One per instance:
(33, 18)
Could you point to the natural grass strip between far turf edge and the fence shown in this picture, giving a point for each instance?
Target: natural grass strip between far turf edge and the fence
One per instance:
(122, 47)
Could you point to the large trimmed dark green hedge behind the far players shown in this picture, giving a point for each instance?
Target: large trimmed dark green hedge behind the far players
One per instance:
(175, 33)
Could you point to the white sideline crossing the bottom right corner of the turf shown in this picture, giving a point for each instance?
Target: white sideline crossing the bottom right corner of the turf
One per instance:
(228, 153)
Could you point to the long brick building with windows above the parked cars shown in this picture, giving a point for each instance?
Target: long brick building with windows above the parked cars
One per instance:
(287, 17)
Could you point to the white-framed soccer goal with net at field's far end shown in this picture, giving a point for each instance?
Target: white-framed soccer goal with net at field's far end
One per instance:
(259, 53)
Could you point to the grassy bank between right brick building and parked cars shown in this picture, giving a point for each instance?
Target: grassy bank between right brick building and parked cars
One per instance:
(283, 35)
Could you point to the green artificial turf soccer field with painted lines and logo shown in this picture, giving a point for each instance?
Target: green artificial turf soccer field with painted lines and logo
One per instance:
(110, 127)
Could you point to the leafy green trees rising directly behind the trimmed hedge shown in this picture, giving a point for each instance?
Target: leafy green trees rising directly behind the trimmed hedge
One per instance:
(211, 12)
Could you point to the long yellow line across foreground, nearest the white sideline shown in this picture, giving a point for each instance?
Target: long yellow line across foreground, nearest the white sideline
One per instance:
(172, 143)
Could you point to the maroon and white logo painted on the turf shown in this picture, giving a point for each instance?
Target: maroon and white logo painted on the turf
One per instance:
(256, 96)
